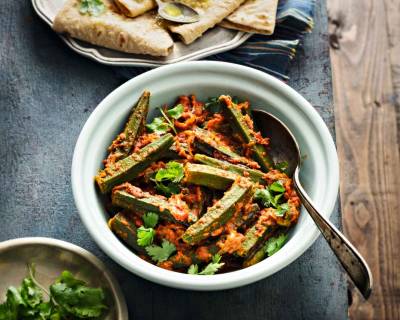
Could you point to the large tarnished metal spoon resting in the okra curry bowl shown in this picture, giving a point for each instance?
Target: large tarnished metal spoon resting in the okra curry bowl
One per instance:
(284, 147)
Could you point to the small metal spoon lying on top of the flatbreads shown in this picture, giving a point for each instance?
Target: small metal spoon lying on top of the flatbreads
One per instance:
(177, 12)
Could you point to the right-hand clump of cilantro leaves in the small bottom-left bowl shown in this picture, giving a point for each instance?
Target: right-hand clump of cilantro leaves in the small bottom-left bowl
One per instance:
(75, 299)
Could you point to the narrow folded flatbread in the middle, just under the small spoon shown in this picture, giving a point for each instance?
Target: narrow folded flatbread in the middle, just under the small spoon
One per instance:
(210, 16)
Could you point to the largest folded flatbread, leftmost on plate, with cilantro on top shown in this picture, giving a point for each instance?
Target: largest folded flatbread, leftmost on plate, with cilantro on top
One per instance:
(113, 30)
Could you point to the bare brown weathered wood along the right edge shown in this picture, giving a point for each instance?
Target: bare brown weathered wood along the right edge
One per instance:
(365, 38)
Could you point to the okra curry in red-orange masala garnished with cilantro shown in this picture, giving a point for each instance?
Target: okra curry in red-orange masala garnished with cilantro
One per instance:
(194, 190)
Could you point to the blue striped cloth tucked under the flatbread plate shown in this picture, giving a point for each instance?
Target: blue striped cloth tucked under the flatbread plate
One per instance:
(271, 54)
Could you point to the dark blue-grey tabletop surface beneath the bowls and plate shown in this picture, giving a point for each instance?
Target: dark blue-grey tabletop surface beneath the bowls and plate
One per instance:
(47, 92)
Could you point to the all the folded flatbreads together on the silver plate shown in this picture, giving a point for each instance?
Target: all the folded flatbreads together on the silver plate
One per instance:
(133, 26)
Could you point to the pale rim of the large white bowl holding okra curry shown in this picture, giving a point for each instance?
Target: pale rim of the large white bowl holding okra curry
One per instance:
(219, 281)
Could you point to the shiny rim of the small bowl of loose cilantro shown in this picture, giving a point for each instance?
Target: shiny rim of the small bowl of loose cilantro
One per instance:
(120, 303)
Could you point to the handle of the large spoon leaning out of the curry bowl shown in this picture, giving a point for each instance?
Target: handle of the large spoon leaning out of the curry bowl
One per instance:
(350, 258)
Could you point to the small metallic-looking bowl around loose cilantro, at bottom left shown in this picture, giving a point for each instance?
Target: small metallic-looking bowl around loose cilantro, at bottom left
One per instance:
(51, 257)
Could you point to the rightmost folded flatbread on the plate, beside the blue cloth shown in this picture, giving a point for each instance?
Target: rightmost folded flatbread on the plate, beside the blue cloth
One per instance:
(256, 16)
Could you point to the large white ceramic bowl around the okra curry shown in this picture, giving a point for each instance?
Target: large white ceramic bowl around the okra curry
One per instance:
(319, 173)
